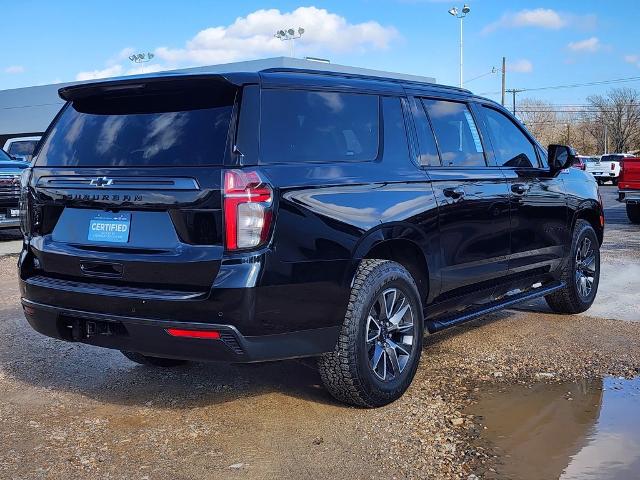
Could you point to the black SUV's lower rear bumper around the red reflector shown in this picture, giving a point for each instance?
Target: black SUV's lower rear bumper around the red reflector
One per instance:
(150, 336)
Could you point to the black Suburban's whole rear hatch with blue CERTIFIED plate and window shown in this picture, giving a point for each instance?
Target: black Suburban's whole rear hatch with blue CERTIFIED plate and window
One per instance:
(126, 187)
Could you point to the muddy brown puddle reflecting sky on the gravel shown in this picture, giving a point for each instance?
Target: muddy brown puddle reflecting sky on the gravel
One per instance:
(568, 431)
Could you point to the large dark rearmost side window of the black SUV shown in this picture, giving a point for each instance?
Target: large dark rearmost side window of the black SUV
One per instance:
(314, 126)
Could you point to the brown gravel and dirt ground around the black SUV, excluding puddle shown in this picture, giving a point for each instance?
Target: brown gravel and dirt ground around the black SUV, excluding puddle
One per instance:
(75, 411)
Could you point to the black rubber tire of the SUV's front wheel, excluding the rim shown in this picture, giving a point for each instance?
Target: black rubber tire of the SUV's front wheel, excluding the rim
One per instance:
(568, 300)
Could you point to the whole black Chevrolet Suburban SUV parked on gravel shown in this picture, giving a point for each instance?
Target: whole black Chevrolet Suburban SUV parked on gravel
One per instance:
(285, 213)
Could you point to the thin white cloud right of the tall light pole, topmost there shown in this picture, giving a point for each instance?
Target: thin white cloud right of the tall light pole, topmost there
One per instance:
(546, 18)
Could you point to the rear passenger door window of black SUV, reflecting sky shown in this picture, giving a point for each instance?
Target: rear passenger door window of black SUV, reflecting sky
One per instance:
(456, 133)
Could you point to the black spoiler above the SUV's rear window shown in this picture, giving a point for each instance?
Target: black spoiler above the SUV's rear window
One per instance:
(148, 83)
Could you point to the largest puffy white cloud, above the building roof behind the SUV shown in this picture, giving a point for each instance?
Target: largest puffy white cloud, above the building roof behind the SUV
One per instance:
(252, 37)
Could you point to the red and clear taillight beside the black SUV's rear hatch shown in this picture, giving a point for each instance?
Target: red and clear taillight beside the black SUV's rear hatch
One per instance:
(248, 201)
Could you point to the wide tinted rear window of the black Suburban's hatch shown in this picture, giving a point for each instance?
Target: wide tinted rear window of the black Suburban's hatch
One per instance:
(175, 128)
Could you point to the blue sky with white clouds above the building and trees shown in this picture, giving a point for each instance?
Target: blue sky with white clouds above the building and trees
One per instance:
(545, 42)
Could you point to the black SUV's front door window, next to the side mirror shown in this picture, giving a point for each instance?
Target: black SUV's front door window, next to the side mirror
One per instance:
(511, 146)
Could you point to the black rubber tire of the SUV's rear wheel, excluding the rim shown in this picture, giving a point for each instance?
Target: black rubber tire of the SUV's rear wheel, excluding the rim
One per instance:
(346, 372)
